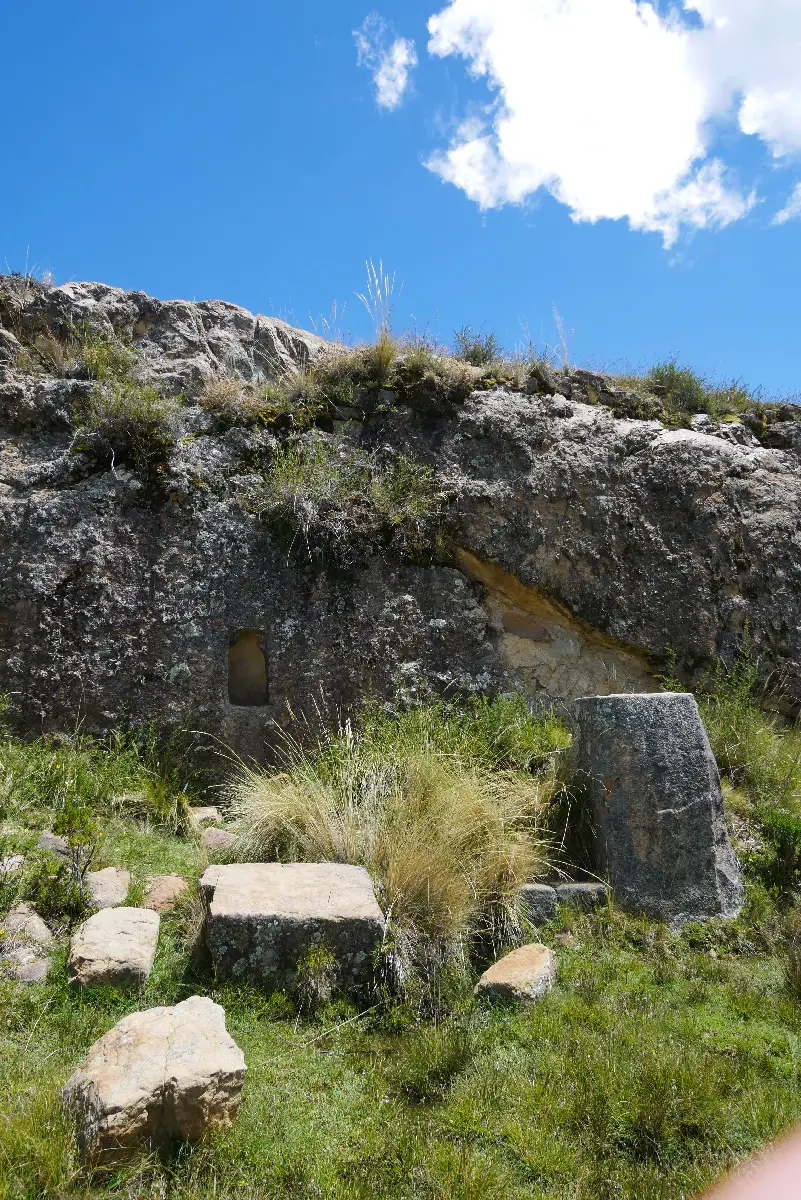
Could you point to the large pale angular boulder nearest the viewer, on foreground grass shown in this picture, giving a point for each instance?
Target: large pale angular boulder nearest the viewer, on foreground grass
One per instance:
(158, 1077)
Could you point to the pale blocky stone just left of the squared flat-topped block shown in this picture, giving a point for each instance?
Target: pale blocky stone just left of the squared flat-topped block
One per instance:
(116, 949)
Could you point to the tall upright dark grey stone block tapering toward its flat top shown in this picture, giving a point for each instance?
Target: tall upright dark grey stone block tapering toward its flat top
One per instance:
(647, 769)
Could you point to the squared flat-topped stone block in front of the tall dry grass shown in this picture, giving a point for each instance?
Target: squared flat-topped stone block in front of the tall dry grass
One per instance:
(264, 919)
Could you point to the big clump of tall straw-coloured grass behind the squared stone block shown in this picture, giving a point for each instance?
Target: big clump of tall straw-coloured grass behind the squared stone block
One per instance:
(448, 830)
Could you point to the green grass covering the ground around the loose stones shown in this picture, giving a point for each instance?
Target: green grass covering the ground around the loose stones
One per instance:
(657, 1061)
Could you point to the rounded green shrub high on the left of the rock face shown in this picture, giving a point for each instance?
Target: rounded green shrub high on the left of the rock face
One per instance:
(124, 422)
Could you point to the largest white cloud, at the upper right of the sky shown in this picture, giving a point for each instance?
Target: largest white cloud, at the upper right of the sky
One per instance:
(612, 106)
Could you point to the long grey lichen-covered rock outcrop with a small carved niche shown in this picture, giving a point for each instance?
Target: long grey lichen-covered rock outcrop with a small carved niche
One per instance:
(586, 548)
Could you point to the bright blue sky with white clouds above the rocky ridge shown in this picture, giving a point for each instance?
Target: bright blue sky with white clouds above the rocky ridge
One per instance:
(240, 152)
